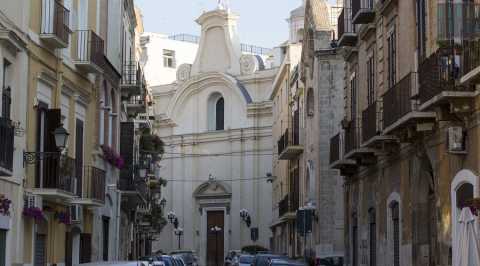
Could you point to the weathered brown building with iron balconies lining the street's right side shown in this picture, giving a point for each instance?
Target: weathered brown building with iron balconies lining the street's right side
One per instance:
(407, 149)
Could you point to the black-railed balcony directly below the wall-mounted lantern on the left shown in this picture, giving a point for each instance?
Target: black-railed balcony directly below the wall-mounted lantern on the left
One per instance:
(55, 179)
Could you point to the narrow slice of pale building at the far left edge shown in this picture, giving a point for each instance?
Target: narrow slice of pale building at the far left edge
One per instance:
(13, 83)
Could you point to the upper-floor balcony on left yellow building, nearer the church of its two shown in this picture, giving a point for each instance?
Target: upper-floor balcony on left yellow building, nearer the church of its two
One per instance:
(89, 55)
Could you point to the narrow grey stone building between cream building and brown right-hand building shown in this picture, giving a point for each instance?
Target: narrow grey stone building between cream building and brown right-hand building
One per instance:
(322, 72)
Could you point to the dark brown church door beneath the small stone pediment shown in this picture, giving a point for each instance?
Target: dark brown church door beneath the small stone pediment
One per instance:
(215, 240)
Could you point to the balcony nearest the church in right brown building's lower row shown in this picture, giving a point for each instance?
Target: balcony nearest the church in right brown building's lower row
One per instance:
(346, 167)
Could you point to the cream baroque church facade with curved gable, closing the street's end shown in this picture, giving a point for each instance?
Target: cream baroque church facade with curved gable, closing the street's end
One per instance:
(216, 122)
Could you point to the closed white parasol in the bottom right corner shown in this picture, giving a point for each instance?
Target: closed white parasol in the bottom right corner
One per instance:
(467, 243)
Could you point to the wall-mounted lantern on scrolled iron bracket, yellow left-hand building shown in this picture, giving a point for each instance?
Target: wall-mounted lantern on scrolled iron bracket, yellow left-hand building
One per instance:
(61, 137)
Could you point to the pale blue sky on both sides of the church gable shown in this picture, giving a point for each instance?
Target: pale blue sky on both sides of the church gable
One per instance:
(262, 22)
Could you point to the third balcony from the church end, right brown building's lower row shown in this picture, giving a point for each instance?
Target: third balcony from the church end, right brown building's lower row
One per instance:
(372, 136)
